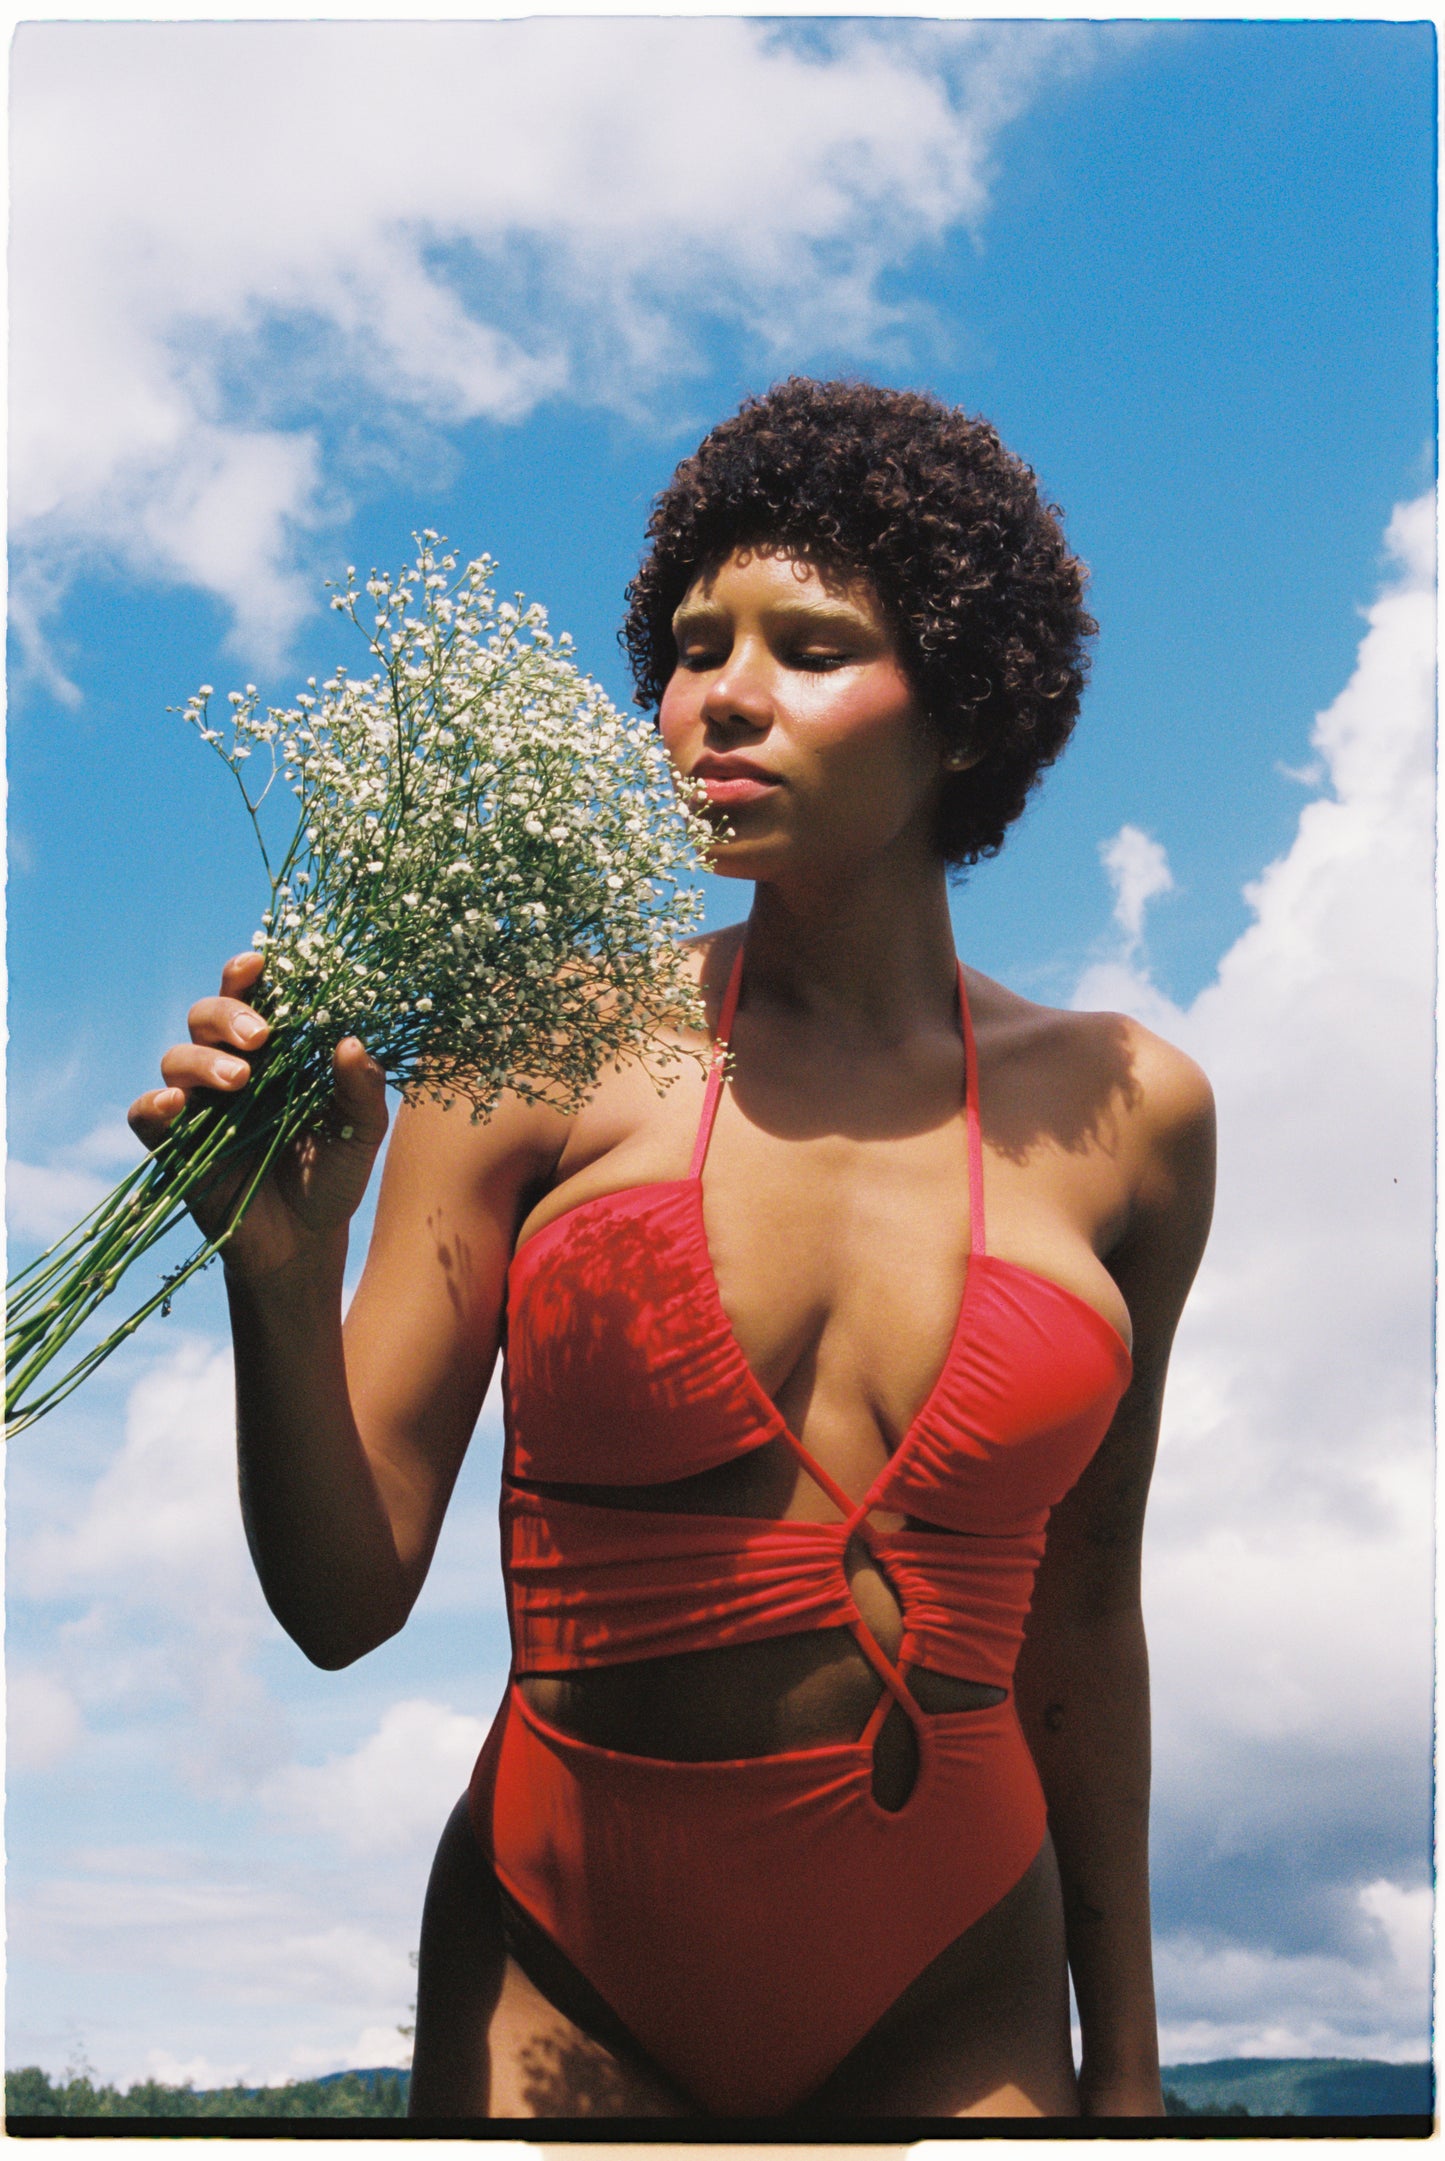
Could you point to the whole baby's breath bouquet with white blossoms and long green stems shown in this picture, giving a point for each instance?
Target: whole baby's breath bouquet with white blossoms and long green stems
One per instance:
(485, 885)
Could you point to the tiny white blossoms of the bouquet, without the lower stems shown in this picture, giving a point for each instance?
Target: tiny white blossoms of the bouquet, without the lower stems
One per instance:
(474, 723)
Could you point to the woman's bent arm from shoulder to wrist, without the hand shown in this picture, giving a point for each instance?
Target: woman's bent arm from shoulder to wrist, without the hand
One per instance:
(351, 1438)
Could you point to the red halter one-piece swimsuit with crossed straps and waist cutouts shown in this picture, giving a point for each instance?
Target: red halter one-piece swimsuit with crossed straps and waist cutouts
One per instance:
(751, 1920)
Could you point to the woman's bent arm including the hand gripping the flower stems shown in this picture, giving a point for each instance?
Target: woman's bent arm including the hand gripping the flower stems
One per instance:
(351, 1438)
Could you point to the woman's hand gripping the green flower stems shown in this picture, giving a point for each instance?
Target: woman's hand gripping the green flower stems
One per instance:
(314, 1190)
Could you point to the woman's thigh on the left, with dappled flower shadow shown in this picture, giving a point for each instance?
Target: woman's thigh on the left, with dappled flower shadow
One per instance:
(489, 2043)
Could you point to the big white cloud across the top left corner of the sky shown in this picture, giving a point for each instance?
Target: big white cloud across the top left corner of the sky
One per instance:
(226, 284)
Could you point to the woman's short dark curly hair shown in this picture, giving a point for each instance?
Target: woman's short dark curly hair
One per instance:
(971, 569)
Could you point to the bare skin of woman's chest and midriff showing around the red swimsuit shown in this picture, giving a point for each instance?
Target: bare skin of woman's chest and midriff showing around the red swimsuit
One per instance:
(837, 1237)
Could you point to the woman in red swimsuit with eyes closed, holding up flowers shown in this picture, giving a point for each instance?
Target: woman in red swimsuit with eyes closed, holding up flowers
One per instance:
(783, 1814)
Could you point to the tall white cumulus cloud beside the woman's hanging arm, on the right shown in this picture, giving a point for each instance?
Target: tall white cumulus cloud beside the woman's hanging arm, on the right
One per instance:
(1288, 1559)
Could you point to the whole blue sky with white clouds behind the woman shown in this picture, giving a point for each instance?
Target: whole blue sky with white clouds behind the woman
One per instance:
(1189, 271)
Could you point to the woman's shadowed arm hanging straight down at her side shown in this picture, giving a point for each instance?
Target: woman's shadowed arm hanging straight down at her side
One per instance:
(1083, 1682)
